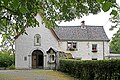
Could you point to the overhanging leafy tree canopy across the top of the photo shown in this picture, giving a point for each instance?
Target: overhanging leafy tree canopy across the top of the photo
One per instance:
(16, 15)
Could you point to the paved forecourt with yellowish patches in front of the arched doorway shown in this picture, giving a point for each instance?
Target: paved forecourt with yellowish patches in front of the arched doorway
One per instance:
(33, 75)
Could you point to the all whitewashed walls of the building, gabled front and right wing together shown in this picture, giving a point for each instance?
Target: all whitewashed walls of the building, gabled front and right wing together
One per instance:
(25, 46)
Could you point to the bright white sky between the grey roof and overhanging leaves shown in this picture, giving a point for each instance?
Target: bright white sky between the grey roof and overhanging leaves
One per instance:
(101, 19)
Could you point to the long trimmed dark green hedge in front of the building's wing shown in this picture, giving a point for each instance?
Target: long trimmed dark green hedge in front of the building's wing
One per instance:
(92, 70)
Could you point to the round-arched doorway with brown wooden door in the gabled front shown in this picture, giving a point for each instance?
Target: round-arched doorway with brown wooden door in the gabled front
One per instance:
(37, 59)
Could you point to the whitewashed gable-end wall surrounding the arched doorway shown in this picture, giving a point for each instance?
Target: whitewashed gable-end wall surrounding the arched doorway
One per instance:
(25, 45)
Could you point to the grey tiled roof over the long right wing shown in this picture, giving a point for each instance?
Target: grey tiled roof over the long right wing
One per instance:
(76, 33)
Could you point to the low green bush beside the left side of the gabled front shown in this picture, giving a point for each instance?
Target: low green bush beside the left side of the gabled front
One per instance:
(6, 59)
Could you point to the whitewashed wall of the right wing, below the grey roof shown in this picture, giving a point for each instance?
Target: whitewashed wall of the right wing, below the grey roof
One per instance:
(85, 49)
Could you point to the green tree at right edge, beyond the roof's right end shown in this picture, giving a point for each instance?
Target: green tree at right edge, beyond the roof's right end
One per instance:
(115, 43)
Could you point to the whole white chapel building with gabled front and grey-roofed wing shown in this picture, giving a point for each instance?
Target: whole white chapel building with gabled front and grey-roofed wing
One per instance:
(40, 48)
